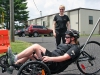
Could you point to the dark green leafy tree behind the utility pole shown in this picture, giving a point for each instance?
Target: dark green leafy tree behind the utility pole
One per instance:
(20, 13)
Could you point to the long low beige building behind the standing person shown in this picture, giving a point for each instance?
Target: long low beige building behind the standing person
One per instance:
(81, 19)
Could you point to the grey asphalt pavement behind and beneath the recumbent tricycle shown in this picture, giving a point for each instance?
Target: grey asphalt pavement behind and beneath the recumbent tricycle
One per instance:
(49, 43)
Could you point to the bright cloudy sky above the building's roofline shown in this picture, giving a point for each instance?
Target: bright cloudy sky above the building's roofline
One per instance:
(52, 6)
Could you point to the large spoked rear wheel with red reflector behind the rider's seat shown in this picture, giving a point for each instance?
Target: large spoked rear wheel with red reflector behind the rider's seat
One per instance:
(90, 67)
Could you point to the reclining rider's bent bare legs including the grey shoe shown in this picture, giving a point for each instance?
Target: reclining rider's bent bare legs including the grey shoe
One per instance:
(26, 53)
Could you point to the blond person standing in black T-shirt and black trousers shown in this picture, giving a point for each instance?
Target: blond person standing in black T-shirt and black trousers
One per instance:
(60, 25)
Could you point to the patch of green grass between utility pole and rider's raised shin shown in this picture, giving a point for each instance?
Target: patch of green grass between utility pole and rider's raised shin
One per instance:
(19, 46)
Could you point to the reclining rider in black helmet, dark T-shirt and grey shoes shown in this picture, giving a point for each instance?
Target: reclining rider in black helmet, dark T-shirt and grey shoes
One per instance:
(61, 57)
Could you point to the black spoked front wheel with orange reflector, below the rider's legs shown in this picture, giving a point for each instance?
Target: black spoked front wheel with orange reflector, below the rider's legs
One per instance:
(27, 68)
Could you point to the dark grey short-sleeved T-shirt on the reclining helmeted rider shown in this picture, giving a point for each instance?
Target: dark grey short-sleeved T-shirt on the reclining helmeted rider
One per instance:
(71, 49)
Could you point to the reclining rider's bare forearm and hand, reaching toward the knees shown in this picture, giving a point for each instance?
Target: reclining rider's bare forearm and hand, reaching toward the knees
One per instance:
(56, 59)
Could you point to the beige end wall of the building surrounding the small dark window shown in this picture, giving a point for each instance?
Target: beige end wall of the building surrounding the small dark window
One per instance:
(86, 28)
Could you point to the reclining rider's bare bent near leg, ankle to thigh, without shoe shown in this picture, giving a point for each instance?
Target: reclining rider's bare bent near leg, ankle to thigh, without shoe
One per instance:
(29, 51)
